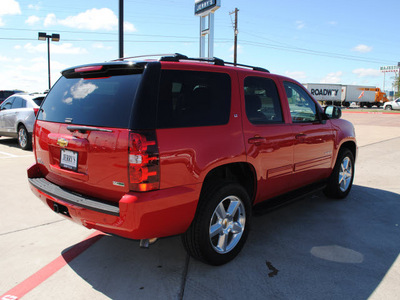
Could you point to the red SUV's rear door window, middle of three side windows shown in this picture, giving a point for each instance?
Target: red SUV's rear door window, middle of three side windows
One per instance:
(262, 101)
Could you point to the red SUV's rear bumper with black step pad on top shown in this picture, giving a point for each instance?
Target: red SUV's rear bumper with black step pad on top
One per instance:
(136, 215)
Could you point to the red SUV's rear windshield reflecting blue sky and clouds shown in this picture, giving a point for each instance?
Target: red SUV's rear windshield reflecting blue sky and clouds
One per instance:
(101, 102)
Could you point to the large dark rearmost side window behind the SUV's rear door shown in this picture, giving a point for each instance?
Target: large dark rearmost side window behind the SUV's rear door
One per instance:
(192, 98)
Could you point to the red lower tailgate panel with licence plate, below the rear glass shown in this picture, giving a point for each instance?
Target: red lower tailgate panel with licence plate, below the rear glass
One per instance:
(89, 161)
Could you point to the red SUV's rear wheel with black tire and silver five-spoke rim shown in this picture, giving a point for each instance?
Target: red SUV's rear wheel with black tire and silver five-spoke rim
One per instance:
(216, 236)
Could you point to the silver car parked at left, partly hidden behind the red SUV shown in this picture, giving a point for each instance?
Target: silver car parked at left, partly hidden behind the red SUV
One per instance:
(17, 117)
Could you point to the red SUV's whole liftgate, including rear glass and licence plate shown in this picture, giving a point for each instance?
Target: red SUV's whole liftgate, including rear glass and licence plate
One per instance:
(82, 133)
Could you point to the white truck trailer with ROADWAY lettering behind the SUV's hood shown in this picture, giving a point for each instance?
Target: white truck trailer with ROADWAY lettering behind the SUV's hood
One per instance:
(326, 94)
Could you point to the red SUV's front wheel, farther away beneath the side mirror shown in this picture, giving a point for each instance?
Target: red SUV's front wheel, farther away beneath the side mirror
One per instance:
(341, 179)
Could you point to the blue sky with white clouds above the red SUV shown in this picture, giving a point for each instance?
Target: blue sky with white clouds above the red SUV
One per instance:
(338, 42)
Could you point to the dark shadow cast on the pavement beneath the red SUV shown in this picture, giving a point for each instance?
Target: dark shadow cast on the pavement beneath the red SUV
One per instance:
(311, 249)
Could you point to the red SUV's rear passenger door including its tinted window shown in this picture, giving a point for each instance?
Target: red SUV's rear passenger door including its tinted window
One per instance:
(268, 136)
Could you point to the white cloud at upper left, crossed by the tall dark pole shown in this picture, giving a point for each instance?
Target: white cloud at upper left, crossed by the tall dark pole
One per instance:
(95, 19)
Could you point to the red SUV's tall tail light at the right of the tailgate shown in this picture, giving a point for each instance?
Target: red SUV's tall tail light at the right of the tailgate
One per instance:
(144, 161)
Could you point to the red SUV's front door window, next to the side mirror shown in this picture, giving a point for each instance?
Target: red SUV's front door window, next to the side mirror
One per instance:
(302, 108)
